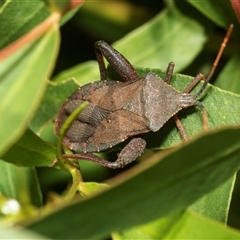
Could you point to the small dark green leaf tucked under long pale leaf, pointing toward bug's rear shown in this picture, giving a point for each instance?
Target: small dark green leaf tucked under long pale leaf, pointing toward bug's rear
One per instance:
(30, 150)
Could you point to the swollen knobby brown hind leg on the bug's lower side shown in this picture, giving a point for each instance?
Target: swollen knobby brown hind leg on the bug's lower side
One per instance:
(128, 154)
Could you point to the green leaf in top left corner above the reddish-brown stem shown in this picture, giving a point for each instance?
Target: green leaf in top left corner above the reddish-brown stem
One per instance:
(15, 23)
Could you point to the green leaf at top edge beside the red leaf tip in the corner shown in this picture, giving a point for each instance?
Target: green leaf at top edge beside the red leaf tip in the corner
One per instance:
(221, 13)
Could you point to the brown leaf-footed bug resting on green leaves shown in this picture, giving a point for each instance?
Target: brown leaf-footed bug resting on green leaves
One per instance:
(119, 110)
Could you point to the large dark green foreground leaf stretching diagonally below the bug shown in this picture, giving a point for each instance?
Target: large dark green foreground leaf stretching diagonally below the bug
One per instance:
(159, 186)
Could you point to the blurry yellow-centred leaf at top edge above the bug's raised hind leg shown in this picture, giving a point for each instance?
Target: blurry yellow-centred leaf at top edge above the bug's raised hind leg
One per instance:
(115, 19)
